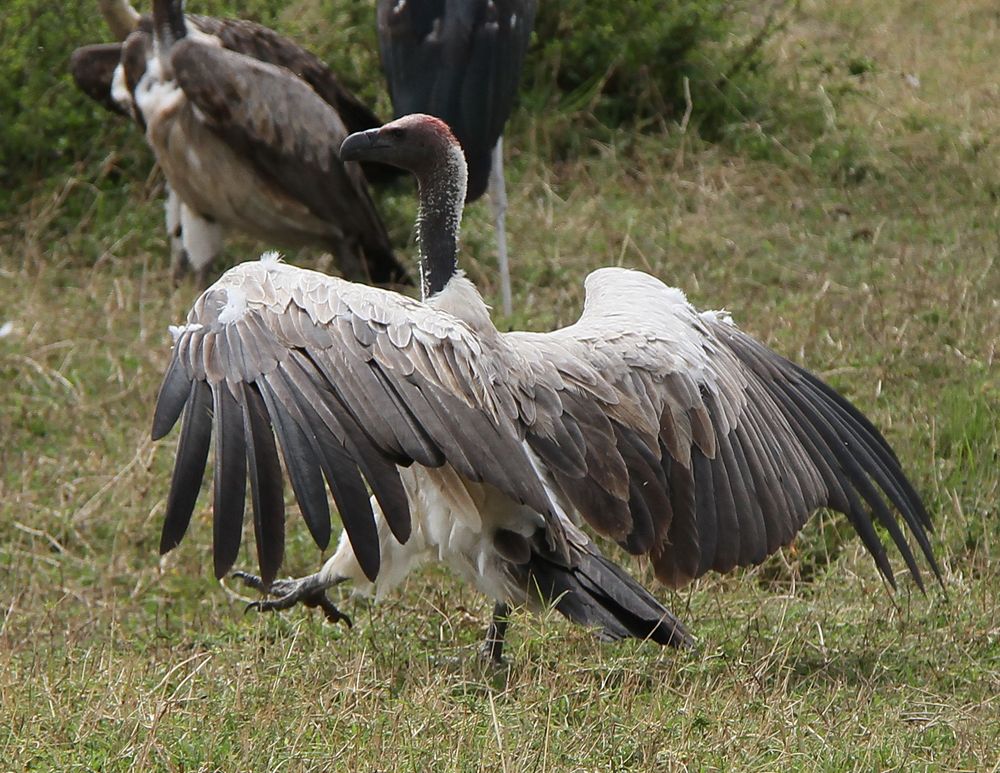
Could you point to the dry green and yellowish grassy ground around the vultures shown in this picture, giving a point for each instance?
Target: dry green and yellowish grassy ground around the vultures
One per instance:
(868, 252)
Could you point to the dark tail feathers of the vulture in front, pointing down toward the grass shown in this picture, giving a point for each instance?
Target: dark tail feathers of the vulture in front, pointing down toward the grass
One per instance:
(598, 594)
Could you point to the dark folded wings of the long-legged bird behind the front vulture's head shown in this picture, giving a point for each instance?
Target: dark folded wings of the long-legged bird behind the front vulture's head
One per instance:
(459, 61)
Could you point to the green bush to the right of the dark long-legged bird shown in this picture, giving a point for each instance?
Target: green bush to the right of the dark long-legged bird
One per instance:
(645, 62)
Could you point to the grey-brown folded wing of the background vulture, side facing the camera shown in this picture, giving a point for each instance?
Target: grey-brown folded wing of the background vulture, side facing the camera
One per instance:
(277, 122)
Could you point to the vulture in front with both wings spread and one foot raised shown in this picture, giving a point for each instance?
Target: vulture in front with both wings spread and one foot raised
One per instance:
(664, 429)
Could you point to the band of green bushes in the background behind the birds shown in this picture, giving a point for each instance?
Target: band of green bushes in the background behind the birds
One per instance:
(594, 69)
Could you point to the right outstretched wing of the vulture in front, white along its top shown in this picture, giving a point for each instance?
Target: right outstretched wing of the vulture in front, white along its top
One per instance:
(687, 440)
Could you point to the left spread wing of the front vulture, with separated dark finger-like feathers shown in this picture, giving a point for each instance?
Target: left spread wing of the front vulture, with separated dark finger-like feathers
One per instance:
(353, 381)
